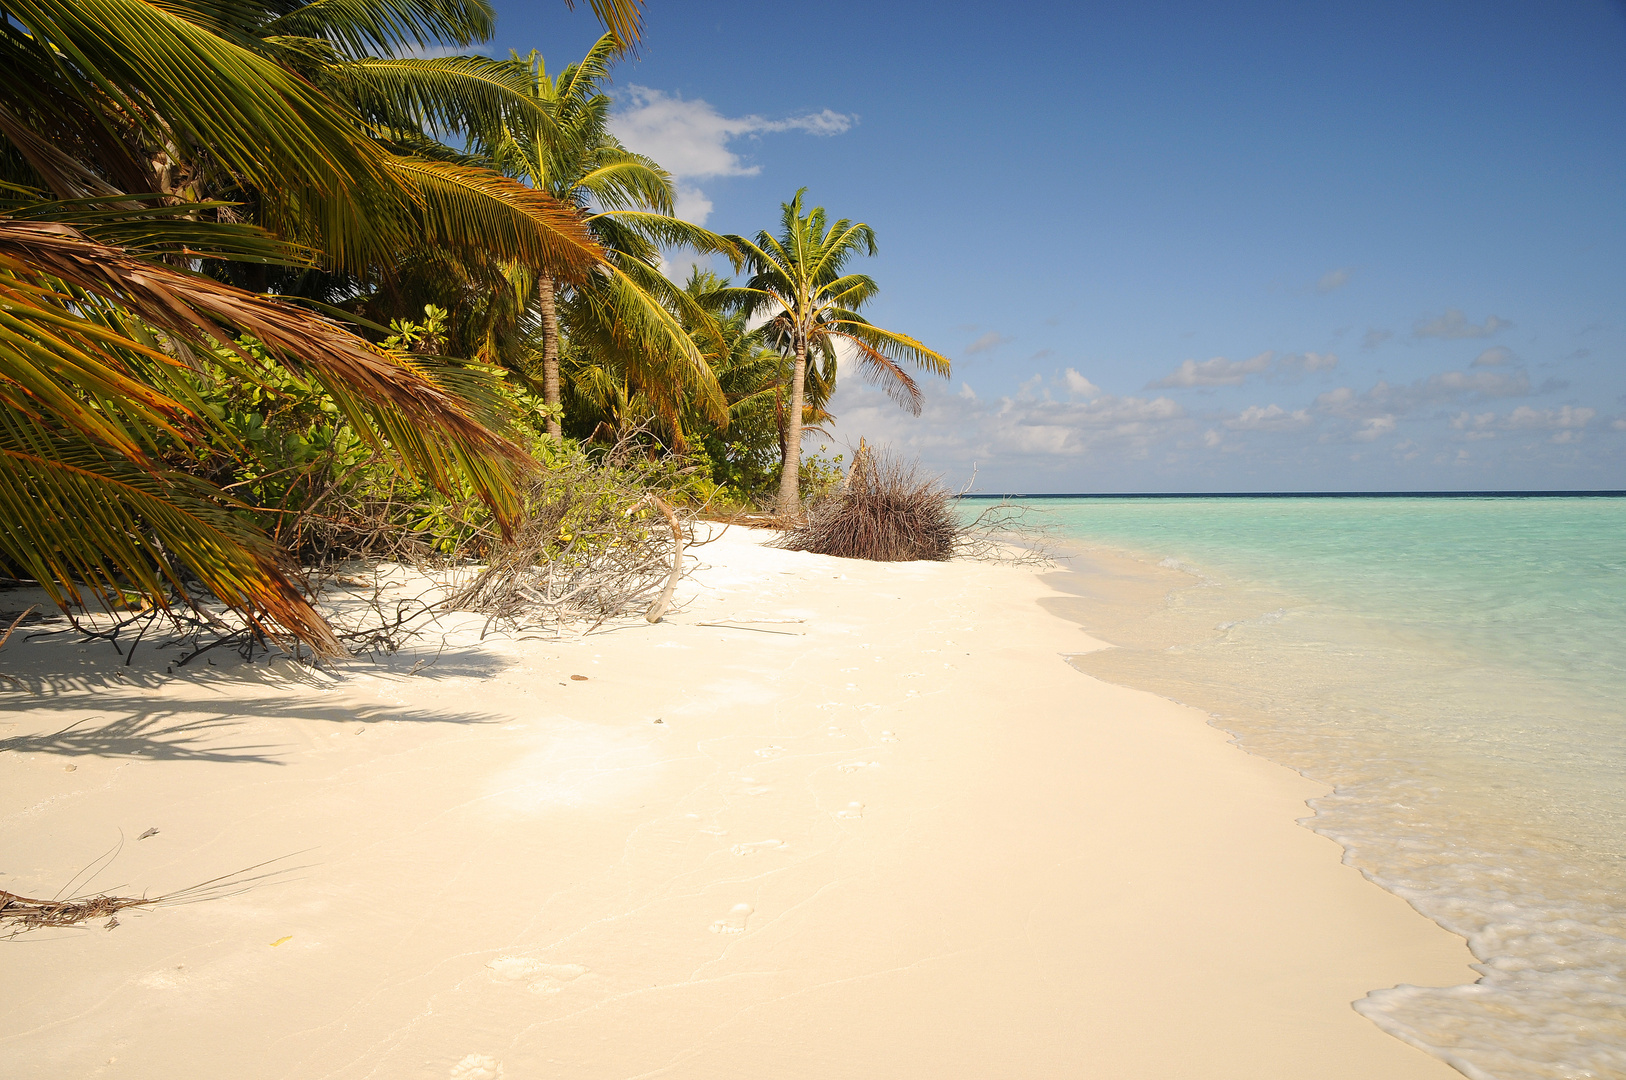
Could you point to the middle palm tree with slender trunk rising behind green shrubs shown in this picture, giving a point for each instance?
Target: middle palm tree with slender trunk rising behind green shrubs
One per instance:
(627, 204)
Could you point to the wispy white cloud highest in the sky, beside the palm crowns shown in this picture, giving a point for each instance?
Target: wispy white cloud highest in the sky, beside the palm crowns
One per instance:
(692, 141)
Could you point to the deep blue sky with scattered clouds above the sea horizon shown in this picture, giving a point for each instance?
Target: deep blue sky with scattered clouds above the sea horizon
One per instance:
(1188, 246)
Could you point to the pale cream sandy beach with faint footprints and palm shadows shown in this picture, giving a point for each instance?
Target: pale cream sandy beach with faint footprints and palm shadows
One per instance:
(897, 838)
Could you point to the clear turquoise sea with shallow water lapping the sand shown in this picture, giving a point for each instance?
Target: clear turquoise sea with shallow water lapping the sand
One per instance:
(1456, 671)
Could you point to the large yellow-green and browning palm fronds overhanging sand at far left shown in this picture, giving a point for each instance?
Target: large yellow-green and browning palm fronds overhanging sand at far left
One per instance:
(131, 115)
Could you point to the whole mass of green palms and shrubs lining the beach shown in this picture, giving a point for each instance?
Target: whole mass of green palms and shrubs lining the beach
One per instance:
(263, 259)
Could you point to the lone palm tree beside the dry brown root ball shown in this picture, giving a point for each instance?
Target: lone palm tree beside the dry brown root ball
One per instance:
(798, 282)
